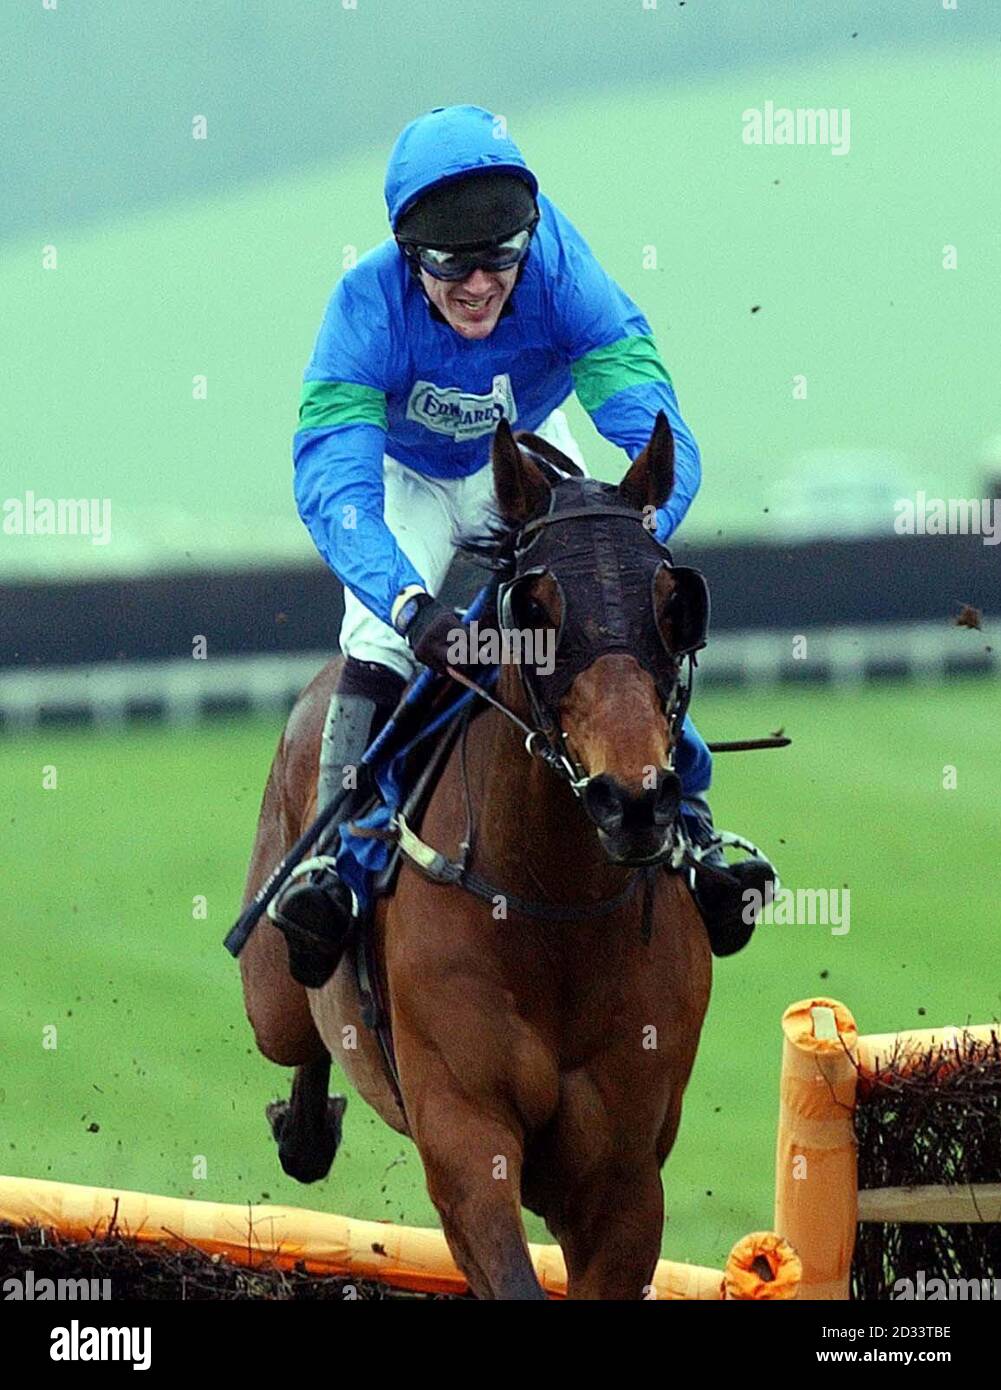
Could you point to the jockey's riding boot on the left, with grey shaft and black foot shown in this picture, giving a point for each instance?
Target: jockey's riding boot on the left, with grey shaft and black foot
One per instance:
(315, 911)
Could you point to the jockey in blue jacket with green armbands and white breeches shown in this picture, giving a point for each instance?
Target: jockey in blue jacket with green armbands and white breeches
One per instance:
(485, 302)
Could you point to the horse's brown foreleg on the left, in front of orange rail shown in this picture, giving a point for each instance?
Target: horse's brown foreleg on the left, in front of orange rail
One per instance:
(473, 1167)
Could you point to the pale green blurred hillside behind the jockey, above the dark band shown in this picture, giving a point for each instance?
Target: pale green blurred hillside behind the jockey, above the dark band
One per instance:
(843, 256)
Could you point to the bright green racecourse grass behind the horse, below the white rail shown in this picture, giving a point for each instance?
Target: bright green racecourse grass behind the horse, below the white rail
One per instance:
(99, 940)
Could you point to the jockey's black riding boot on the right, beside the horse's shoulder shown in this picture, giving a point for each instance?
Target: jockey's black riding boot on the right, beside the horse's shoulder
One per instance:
(729, 897)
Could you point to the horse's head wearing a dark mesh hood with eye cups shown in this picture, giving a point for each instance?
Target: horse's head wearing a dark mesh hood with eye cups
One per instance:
(601, 597)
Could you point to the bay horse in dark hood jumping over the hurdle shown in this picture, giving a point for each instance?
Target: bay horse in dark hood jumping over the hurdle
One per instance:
(542, 1056)
